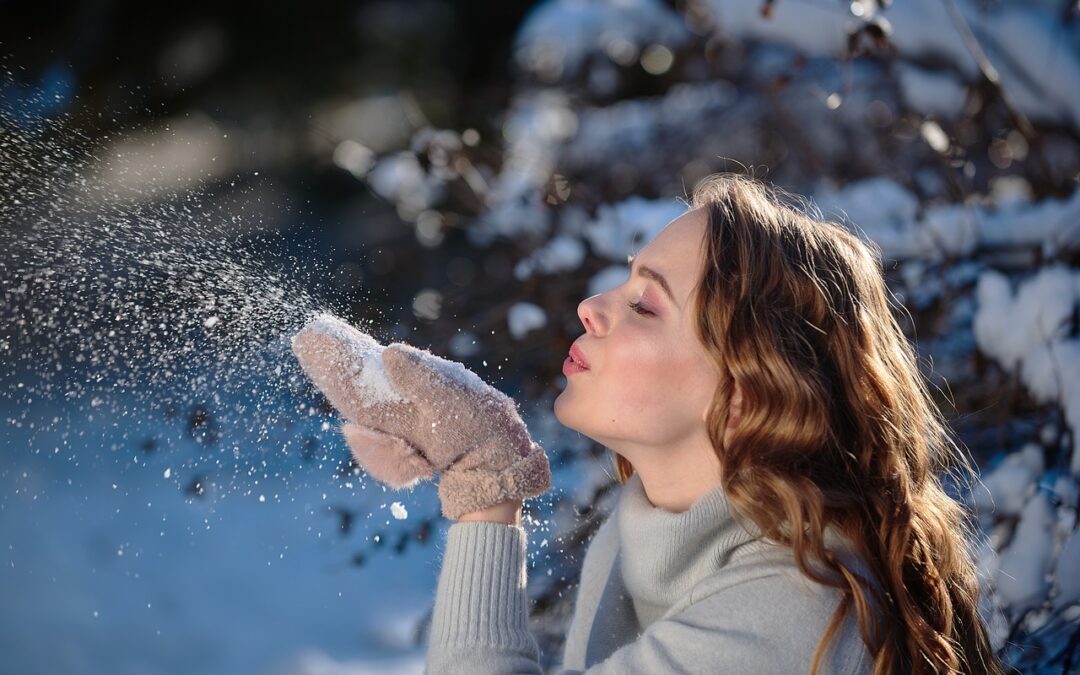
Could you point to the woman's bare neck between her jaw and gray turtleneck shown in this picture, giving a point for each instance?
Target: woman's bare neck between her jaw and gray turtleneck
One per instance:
(676, 480)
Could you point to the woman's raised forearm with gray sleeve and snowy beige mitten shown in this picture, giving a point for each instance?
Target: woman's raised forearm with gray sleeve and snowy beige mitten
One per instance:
(413, 415)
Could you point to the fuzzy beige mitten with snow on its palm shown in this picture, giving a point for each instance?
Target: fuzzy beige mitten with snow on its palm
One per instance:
(414, 414)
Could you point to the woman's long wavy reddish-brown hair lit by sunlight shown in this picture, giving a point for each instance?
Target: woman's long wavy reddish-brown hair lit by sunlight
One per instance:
(838, 427)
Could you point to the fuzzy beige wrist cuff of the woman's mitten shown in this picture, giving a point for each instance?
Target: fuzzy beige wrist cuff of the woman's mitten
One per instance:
(466, 491)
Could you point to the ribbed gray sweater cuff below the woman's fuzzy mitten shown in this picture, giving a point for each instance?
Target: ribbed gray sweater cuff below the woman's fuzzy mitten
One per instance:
(481, 601)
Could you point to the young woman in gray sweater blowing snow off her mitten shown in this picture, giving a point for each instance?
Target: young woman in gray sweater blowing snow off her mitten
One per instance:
(781, 509)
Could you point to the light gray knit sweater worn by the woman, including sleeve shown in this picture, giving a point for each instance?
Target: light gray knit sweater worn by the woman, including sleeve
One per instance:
(660, 592)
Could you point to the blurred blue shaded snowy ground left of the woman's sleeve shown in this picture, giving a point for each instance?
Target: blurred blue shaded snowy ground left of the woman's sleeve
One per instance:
(137, 576)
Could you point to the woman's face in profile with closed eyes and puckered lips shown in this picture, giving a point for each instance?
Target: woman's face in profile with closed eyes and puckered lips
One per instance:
(650, 381)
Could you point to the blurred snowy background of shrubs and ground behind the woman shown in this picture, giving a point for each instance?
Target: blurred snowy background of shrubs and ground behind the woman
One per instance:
(183, 186)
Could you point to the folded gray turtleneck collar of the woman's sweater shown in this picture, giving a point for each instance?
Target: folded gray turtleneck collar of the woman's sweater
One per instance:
(665, 555)
